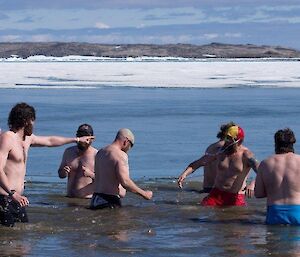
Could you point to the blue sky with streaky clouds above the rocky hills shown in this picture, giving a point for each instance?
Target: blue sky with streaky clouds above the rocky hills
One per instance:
(267, 22)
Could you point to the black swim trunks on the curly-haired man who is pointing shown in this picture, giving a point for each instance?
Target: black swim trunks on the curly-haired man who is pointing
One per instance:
(11, 212)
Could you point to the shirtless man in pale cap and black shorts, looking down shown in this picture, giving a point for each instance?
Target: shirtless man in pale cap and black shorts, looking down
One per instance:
(112, 173)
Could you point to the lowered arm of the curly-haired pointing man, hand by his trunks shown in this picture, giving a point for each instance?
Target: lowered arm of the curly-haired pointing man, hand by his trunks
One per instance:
(5, 147)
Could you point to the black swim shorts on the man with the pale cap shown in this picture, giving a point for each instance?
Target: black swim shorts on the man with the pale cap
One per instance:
(100, 201)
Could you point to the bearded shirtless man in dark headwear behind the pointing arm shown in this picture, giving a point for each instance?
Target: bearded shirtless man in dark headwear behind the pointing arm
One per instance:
(78, 164)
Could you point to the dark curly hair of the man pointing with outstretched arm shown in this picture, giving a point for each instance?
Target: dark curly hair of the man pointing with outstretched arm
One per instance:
(20, 116)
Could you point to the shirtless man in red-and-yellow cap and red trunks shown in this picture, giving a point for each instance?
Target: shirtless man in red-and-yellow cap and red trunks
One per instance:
(233, 163)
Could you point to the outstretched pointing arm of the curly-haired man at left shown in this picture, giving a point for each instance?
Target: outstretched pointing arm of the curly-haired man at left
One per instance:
(51, 141)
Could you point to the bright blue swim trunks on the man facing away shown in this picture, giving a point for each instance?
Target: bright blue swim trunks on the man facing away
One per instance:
(283, 214)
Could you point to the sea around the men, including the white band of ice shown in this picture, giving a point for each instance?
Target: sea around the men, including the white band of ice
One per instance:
(173, 126)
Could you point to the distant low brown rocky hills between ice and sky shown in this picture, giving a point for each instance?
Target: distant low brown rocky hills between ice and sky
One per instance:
(217, 50)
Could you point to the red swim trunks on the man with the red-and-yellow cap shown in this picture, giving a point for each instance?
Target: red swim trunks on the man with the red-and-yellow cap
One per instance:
(221, 198)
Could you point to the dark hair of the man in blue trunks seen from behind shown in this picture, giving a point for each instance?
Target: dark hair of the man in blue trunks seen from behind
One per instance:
(284, 141)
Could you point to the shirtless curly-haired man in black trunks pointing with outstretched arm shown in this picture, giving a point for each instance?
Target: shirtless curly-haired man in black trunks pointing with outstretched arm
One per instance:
(14, 146)
